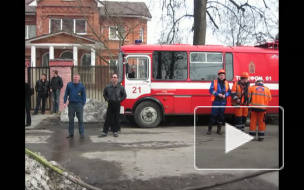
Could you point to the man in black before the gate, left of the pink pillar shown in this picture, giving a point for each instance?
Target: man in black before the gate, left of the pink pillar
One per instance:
(42, 88)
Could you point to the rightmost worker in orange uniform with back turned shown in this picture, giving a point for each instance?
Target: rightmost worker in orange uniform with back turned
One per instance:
(259, 96)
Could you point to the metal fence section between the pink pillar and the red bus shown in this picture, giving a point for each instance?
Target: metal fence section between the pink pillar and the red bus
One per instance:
(95, 79)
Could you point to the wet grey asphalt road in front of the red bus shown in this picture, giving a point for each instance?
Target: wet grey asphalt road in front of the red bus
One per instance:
(167, 157)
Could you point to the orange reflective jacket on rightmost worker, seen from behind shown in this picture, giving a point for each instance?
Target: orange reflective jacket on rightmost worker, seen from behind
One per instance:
(259, 96)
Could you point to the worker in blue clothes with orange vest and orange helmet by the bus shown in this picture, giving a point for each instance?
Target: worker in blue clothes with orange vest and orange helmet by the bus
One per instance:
(220, 91)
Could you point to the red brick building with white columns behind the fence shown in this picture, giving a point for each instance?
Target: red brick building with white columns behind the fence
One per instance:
(89, 32)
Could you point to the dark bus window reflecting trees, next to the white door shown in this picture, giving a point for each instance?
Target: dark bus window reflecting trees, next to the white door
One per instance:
(170, 65)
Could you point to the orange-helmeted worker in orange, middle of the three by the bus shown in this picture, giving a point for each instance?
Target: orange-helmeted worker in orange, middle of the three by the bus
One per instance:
(240, 98)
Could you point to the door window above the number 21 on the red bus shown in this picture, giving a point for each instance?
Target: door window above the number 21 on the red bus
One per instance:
(137, 69)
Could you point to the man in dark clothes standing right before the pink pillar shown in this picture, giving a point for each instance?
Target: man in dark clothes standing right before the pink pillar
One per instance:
(55, 87)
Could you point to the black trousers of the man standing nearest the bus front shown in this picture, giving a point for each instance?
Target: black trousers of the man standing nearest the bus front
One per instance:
(112, 117)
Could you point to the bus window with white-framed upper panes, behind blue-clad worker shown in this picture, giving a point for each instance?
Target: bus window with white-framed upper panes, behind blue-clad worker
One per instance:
(204, 65)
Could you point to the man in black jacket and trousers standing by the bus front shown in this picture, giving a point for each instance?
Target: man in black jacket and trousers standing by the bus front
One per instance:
(113, 93)
